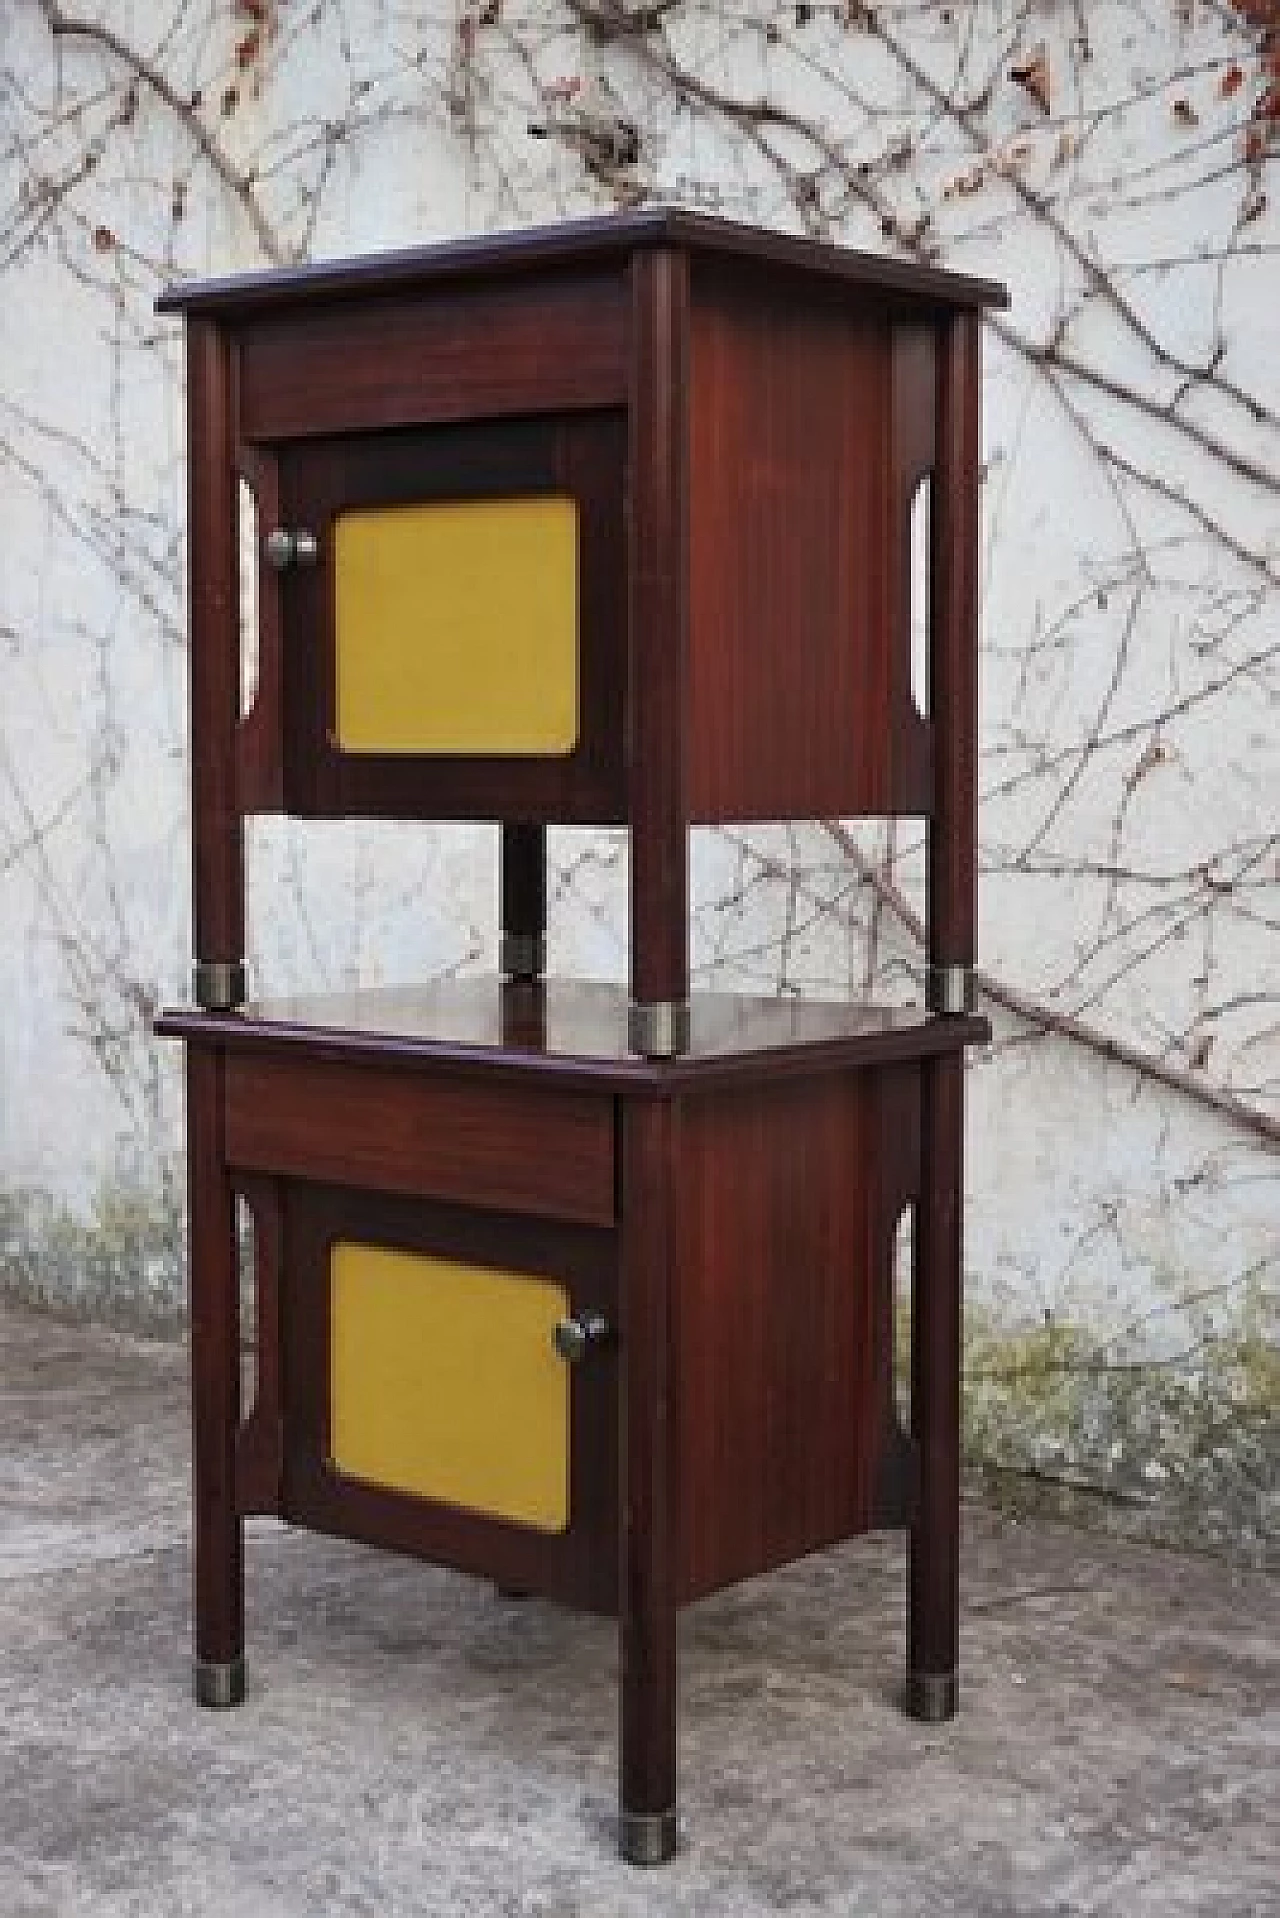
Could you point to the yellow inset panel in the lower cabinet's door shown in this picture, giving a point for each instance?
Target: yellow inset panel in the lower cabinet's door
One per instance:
(444, 1384)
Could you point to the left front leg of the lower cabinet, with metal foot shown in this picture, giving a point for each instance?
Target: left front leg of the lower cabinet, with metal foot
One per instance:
(218, 1532)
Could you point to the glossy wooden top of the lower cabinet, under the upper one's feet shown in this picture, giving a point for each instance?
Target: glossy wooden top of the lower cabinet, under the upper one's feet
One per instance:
(575, 1031)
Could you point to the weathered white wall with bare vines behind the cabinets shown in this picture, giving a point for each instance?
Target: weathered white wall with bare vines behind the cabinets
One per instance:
(1116, 168)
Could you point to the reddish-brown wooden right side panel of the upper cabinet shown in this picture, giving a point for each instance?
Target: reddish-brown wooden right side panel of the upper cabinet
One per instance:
(795, 707)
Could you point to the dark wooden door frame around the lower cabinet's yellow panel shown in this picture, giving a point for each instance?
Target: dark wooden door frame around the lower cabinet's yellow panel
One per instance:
(579, 1564)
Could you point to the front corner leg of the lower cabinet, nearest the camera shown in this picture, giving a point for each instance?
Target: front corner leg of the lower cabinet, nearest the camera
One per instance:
(648, 1572)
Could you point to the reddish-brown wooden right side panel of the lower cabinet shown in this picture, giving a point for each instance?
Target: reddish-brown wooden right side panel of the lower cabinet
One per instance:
(784, 1355)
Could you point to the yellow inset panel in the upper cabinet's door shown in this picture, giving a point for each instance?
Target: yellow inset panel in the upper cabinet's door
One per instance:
(458, 628)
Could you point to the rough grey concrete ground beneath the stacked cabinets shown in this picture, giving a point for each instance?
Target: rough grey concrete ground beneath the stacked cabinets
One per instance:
(417, 1744)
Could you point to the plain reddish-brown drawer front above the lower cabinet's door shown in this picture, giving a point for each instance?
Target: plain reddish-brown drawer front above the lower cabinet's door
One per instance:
(440, 1136)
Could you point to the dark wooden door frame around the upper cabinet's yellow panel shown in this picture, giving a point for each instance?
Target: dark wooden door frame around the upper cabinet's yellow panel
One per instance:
(579, 457)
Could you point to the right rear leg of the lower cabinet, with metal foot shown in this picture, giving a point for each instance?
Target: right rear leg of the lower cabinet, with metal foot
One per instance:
(934, 1568)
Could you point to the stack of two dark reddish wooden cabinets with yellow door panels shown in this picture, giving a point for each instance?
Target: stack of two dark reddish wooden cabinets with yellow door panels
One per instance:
(582, 1290)
